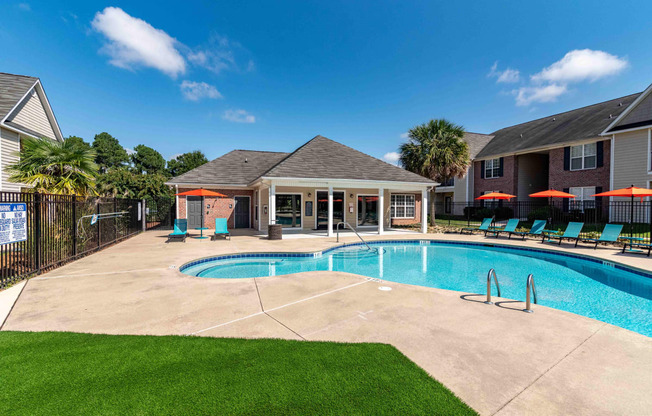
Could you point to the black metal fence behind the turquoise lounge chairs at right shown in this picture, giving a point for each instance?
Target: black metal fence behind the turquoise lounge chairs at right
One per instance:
(635, 217)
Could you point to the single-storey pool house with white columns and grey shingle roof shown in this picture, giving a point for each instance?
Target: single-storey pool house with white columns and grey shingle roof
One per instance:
(315, 187)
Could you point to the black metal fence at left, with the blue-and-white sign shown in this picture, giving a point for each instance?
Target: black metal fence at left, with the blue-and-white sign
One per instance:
(61, 228)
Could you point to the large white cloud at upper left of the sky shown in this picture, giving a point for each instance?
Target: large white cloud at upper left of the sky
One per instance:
(132, 42)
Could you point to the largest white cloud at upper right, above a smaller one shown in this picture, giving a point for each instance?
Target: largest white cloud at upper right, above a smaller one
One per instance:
(581, 65)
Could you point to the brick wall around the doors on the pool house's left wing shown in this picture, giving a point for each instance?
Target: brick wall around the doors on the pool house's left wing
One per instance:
(221, 207)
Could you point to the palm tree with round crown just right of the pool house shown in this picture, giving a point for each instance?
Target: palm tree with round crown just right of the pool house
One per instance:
(437, 151)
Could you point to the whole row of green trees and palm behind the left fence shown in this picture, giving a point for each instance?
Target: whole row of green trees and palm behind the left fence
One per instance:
(102, 167)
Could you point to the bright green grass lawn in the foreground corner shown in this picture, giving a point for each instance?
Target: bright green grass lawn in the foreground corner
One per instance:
(70, 373)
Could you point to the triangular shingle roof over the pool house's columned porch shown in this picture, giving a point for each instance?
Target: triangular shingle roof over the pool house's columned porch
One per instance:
(324, 158)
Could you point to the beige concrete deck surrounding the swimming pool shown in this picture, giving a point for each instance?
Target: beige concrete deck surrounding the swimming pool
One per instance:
(496, 358)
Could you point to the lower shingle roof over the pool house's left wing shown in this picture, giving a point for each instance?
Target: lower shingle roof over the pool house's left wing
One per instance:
(239, 167)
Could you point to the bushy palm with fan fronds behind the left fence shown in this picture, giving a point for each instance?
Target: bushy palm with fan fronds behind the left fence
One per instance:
(55, 167)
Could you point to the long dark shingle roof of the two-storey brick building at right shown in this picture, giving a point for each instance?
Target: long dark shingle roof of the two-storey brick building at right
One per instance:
(582, 123)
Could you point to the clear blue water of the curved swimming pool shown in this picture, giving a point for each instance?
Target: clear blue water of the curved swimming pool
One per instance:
(595, 289)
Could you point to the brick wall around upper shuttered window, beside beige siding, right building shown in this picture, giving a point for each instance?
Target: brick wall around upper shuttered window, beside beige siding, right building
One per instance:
(560, 179)
